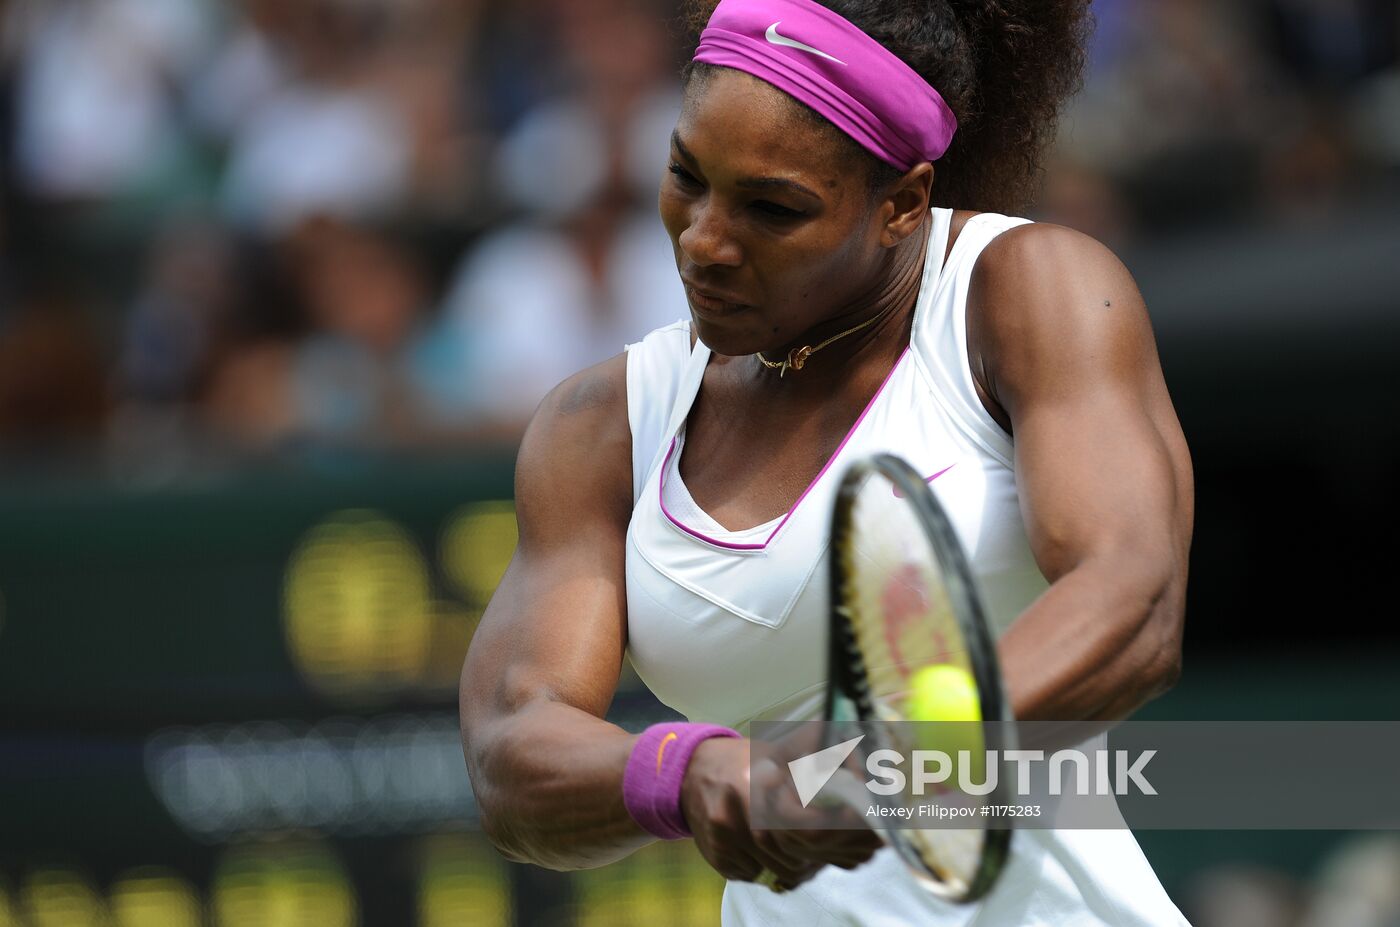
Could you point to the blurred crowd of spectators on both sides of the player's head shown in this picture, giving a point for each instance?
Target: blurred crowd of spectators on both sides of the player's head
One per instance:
(239, 226)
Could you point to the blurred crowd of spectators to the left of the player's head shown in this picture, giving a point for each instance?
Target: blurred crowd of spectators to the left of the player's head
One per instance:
(332, 221)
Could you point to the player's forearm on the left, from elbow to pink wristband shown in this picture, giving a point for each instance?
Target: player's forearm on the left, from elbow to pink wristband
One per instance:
(548, 782)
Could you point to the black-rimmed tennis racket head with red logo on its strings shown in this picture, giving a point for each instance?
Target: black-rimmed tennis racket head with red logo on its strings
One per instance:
(904, 599)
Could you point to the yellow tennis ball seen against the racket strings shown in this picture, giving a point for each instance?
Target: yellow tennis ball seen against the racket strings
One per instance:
(944, 705)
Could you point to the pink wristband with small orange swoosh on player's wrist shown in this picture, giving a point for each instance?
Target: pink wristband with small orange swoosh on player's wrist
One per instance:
(656, 769)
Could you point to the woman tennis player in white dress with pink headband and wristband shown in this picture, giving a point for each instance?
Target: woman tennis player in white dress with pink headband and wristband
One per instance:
(838, 197)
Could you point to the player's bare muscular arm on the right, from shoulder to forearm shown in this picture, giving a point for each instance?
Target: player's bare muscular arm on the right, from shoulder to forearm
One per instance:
(1060, 342)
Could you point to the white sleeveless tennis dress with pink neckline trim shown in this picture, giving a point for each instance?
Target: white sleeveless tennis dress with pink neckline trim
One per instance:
(729, 627)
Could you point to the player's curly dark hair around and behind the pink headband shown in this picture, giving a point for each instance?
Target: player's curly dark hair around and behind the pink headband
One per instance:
(1003, 67)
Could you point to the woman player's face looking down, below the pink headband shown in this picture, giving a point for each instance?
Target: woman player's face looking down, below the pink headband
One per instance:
(773, 233)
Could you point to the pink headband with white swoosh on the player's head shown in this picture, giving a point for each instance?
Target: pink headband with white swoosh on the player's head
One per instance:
(817, 57)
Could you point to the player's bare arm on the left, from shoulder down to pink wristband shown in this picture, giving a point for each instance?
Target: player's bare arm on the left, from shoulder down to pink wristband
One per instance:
(545, 662)
